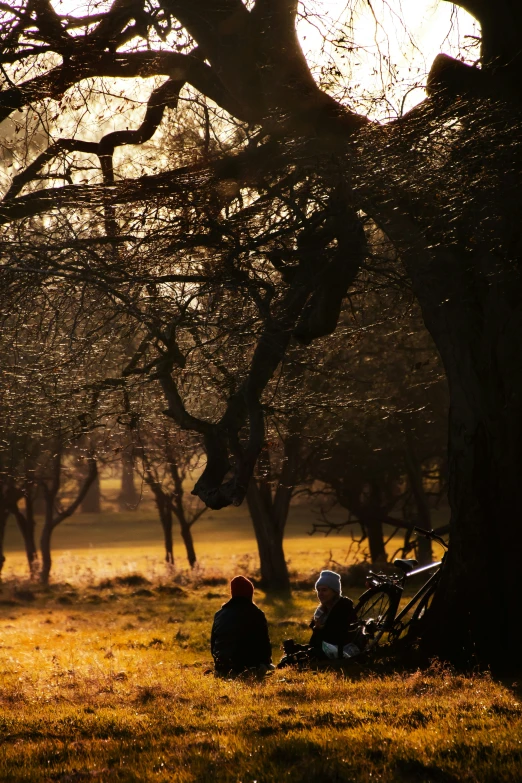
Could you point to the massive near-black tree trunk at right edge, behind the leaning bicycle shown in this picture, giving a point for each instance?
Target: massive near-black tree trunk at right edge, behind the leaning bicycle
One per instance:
(470, 294)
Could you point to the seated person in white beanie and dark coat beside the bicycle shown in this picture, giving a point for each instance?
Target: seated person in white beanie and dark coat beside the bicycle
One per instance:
(334, 618)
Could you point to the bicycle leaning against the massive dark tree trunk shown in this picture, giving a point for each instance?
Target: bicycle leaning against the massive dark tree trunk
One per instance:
(378, 607)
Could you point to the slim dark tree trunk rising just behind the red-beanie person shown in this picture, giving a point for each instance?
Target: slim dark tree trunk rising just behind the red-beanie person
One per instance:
(269, 537)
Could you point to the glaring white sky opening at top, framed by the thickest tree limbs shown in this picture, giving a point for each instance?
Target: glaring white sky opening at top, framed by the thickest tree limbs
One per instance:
(380, 50)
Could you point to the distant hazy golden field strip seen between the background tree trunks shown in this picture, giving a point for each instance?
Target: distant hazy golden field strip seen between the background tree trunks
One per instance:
(115, 543)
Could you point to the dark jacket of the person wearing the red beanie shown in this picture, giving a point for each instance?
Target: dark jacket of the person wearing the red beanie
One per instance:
(239, 638)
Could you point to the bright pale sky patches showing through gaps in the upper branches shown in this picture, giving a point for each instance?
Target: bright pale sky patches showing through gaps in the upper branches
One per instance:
(373, 57)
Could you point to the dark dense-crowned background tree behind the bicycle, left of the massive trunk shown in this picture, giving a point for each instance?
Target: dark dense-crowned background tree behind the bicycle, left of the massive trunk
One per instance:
(380, 442)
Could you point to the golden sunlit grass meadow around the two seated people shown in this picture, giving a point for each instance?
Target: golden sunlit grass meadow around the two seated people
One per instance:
(106, 675)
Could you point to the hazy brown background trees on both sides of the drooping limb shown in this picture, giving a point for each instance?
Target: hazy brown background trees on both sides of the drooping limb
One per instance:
(356, 422)
